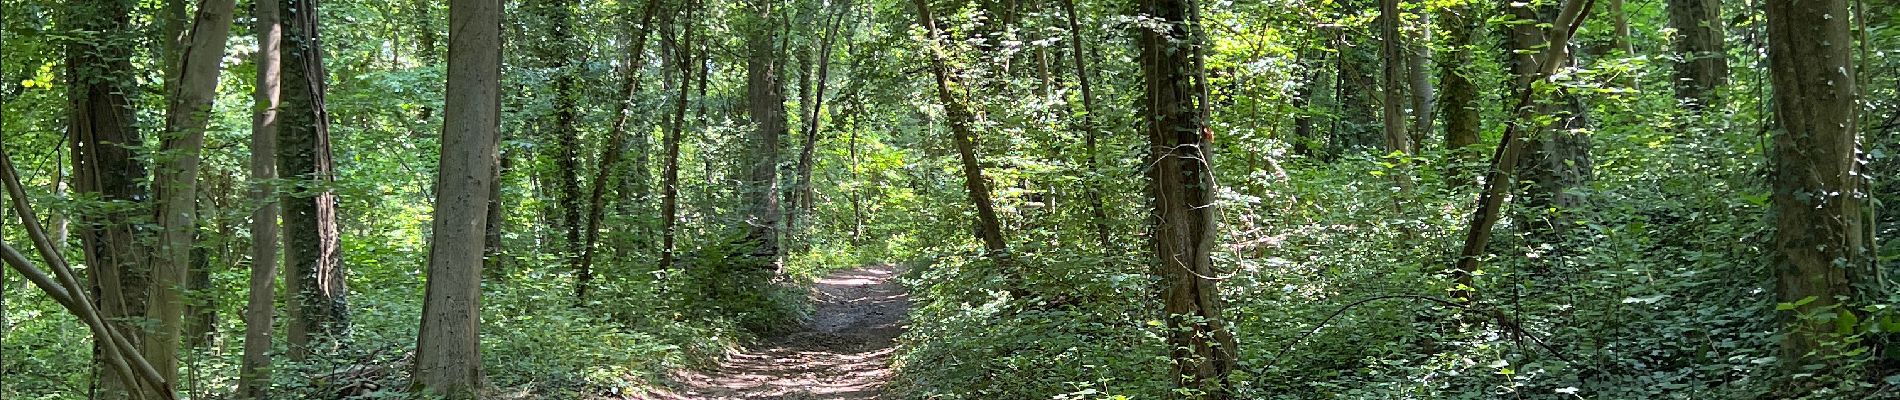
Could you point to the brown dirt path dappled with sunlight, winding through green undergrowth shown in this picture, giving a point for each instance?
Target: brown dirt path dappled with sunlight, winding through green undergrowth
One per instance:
(845, 354)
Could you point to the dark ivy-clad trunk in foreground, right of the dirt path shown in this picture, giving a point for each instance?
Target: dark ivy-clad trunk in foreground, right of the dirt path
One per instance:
(1183, 198)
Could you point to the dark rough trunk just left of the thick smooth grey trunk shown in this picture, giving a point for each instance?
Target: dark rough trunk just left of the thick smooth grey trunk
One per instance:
(311, 232)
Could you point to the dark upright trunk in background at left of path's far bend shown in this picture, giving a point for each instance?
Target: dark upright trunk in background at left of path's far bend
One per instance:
(767, 111)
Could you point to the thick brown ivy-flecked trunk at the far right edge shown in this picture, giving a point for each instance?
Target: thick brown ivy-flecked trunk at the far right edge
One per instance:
(1821, 244)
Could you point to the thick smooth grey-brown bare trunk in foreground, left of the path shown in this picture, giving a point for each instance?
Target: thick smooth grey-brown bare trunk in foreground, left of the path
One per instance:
(449, 340)
